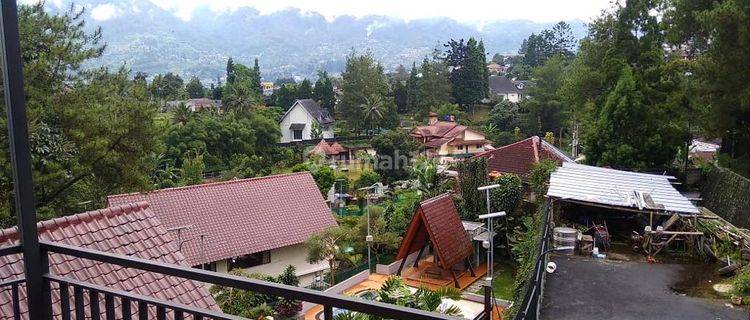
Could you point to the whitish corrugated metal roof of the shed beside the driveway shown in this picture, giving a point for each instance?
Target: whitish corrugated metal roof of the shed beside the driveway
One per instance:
(618, 188)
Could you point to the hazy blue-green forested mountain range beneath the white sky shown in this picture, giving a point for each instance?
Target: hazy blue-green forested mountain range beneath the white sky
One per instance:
(287, 43)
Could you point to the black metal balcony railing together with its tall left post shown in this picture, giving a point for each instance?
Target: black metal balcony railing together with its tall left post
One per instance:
(32, 293)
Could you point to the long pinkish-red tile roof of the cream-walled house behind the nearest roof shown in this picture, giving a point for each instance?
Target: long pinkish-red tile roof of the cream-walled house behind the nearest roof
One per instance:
(239, 217)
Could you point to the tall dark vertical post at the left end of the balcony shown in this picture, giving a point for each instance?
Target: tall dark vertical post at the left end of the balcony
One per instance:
(15, 106)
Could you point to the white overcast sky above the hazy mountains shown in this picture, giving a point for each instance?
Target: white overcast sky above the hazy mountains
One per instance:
(469, 11)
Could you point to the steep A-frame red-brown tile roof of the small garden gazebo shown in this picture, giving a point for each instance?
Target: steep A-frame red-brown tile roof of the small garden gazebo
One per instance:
(436, 219)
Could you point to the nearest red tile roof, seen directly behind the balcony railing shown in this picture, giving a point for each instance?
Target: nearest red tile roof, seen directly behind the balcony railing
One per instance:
(131, 229)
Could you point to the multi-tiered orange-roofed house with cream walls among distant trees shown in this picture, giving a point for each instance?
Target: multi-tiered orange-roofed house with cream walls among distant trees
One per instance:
(448, 140)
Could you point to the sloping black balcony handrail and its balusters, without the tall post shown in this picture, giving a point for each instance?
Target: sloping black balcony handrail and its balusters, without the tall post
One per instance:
(84, 300)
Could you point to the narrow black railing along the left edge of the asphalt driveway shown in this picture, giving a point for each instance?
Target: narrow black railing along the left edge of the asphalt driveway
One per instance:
(529, 308)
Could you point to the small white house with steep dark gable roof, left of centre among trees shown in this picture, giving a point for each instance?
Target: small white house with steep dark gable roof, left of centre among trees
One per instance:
(302, 119)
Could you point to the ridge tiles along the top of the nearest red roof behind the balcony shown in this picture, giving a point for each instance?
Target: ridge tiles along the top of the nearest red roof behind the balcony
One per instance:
(64, 221)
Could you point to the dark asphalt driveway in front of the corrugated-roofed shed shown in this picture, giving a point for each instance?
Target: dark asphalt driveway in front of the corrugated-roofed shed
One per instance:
(584, 288)
